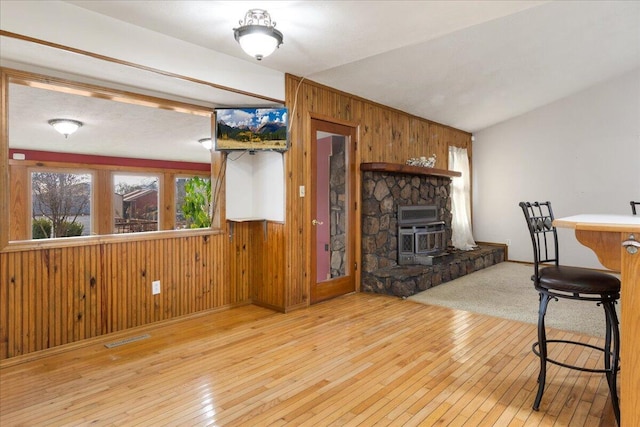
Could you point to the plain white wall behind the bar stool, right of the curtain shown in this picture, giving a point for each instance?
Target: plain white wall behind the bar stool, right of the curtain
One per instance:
(582, 153)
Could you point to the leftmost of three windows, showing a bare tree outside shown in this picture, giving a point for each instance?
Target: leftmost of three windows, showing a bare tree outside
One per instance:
(60, 204)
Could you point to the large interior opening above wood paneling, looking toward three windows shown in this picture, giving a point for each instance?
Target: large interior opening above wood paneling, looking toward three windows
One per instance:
(129, 147)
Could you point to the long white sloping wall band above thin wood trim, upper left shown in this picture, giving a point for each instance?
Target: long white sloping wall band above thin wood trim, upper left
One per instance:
(70, 25)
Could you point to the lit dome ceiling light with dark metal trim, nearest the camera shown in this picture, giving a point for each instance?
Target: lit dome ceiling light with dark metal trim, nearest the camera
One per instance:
(257, 34)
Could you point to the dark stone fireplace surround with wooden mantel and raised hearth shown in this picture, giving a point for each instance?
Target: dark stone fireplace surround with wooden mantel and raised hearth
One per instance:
(386, 186)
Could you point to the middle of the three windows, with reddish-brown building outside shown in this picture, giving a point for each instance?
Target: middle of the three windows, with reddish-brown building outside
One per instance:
(135, 203)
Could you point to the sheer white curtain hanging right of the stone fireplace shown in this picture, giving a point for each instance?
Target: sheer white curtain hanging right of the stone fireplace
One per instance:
(461, 238)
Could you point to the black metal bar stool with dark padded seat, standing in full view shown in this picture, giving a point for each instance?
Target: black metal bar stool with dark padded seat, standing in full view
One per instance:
(553, 281)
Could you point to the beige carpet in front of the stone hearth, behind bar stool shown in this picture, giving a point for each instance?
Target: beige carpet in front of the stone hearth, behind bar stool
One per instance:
(505, 290)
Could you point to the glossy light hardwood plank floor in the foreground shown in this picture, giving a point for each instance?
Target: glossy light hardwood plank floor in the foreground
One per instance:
(358, 360)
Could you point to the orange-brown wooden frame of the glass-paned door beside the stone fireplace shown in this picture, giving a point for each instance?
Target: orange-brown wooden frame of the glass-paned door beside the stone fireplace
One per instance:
(350, 282)
